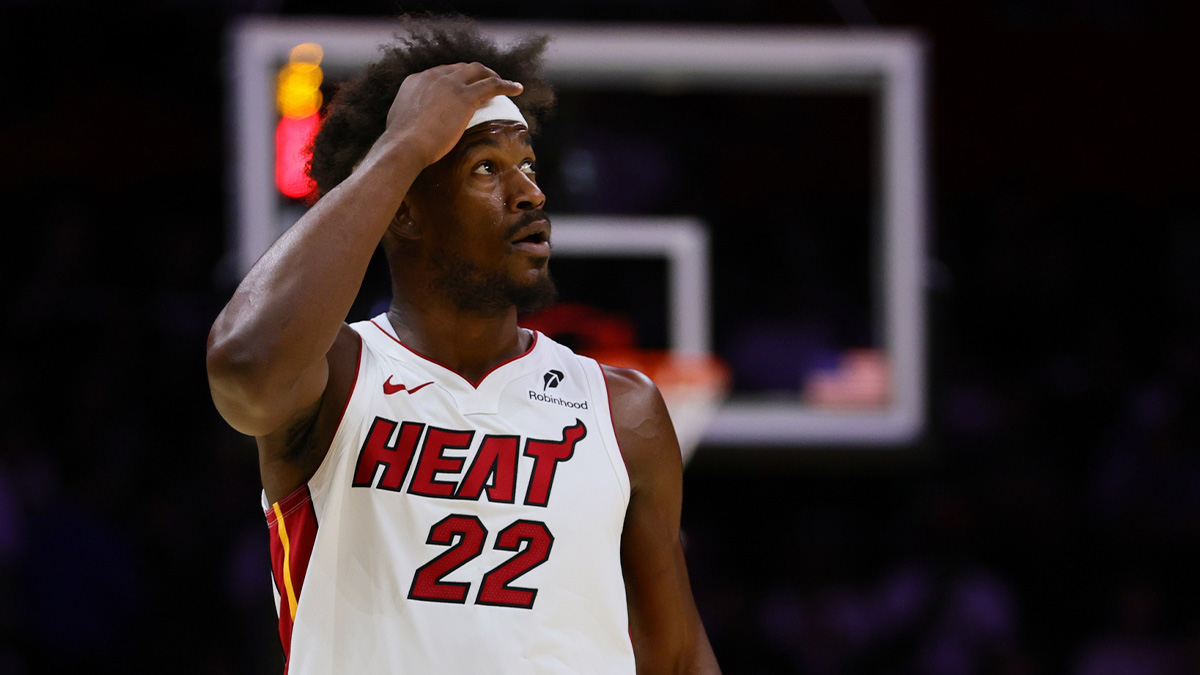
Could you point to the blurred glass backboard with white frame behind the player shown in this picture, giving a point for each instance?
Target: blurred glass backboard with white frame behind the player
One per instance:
(867, 391)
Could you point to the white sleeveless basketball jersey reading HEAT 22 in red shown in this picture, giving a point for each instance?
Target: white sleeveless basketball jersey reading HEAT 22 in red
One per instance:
(459, 527)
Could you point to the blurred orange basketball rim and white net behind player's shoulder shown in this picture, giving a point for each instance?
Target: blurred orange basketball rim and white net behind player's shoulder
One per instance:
(693, 386)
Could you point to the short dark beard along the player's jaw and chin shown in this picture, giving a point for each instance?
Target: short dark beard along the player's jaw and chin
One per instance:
(473, 290)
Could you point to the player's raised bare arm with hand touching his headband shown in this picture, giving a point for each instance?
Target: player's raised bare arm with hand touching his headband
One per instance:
(271, 349)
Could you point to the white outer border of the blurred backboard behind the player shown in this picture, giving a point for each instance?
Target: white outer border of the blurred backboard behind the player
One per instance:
(887, 63)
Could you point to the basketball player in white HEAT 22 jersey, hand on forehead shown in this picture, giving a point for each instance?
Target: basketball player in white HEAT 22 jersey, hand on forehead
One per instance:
(447, 492)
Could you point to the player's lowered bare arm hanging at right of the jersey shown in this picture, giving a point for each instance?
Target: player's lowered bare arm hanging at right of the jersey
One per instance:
(665, 626)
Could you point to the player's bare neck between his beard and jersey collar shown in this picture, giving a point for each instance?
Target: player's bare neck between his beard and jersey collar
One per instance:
(470, 344)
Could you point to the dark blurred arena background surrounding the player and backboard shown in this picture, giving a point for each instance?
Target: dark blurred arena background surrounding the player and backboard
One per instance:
(1047, 523)
